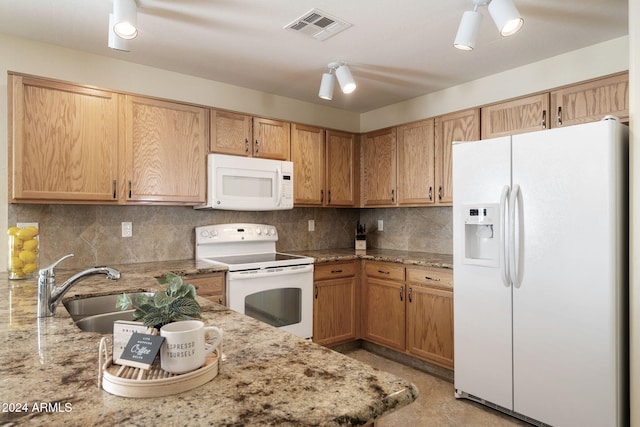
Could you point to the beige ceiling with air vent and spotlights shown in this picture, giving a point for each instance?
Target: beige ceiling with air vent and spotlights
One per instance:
(396, 50)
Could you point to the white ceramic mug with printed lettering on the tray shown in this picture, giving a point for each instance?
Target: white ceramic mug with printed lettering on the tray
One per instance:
(184, 348)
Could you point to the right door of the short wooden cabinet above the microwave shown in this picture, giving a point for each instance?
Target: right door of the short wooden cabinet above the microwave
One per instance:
(271, 139)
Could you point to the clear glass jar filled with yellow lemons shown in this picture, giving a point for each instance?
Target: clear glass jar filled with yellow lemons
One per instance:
(23, 252)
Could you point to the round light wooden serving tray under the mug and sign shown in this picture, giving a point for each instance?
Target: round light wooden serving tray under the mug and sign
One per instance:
(127, 381)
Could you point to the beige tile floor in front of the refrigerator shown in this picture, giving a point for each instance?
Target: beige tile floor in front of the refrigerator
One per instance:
(436, 405)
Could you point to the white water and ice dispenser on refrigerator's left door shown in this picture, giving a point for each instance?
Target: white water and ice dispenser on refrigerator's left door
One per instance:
(482, 235)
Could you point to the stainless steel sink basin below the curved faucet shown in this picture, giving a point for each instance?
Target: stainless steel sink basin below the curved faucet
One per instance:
(97, 314)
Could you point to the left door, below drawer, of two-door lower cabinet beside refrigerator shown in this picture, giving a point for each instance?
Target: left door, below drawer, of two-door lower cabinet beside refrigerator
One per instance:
(384, 320)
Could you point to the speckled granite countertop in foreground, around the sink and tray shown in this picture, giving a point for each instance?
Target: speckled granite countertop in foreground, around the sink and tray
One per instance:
(49, 369)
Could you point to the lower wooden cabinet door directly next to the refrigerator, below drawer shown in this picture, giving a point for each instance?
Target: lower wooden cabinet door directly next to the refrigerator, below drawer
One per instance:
(430, 324)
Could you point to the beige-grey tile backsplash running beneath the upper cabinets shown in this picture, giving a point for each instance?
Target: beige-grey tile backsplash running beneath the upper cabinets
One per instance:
(162, 233)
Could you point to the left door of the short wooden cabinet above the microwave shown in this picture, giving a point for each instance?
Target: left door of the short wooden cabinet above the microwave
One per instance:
(230, 133)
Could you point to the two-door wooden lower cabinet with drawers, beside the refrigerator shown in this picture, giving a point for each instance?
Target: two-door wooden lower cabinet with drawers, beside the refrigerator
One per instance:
(409, 310)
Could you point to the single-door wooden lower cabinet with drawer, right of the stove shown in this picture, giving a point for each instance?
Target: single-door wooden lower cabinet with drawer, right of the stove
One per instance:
(334, 302)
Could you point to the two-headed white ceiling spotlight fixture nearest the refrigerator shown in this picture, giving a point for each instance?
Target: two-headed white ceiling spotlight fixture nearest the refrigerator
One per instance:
(503, 12)
